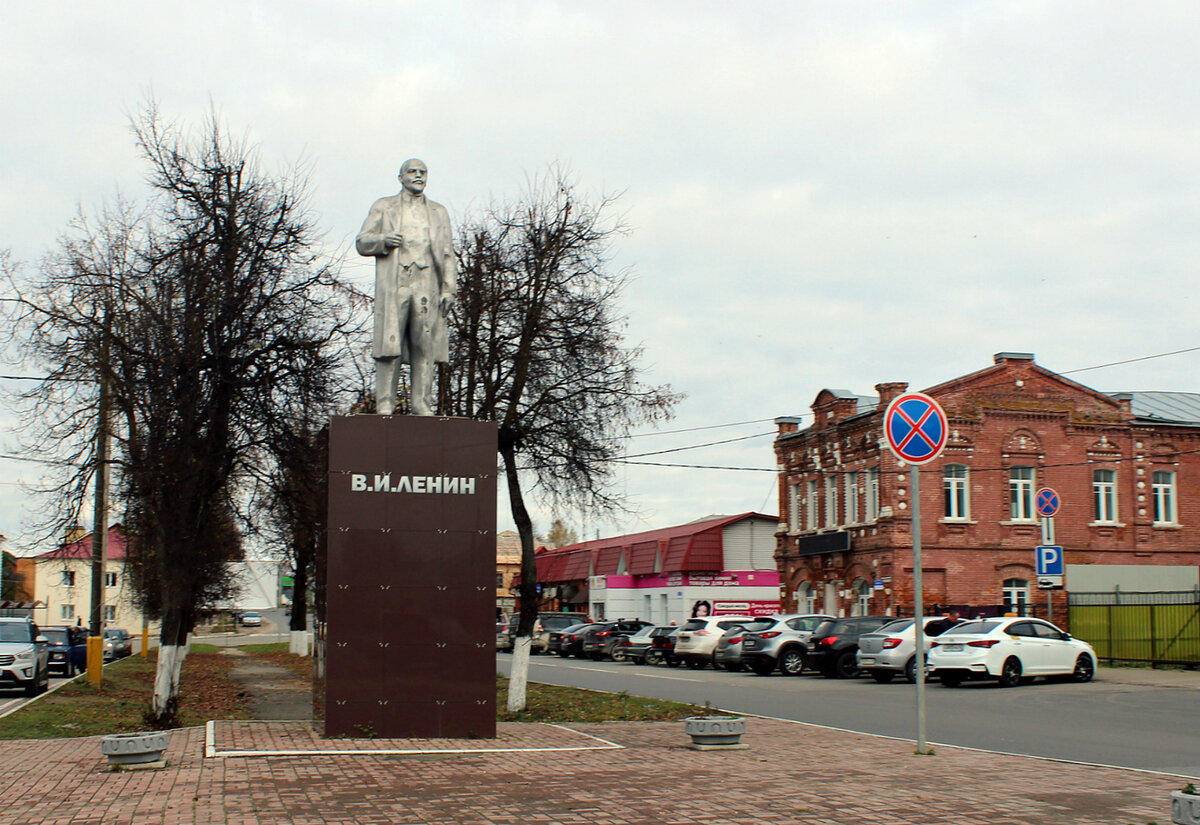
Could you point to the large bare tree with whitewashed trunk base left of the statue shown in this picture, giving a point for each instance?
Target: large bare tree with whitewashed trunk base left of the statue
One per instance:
(195, 314)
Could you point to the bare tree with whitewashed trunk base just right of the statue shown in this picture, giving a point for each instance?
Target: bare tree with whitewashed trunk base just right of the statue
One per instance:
(538, 347)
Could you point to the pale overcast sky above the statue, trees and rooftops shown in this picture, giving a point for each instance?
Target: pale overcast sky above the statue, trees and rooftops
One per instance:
(820, 195)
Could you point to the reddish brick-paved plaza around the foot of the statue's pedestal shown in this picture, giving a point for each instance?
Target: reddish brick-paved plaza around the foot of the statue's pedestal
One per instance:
(791, 773)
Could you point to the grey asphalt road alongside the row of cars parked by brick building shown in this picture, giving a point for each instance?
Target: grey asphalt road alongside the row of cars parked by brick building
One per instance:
(1109, 724)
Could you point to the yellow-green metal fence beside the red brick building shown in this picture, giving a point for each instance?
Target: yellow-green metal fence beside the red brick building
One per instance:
(1155, 628)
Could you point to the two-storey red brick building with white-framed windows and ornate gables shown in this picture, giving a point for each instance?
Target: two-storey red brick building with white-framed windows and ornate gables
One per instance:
(1125, 466)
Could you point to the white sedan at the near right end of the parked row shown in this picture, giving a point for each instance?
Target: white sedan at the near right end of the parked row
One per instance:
(1010, 649)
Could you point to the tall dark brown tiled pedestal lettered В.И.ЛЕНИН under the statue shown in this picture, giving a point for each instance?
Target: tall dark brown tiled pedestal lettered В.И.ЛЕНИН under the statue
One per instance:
(411, 599)
